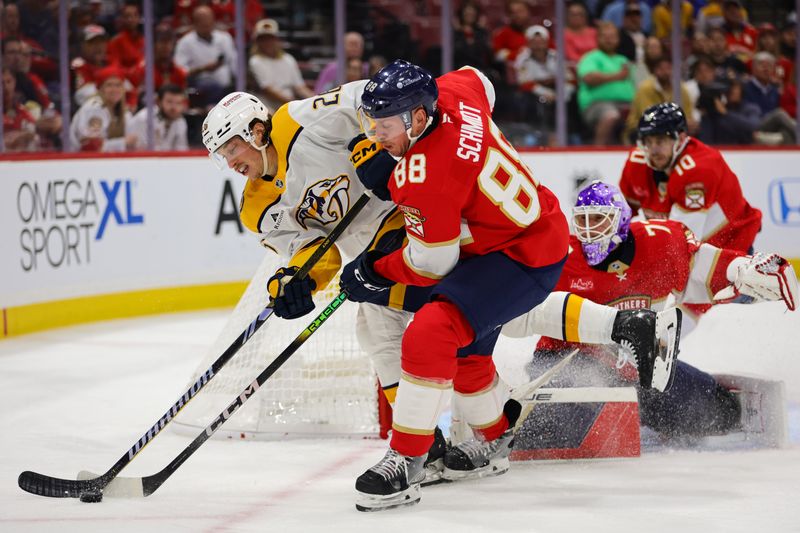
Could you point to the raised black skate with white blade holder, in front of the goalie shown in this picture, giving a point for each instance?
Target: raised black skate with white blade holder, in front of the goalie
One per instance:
(652, 340)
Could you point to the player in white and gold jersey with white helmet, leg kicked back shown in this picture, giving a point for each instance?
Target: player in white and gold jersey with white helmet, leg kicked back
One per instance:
(301, 180)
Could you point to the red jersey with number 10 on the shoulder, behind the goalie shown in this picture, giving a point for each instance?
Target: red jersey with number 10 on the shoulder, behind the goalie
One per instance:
(702, 192)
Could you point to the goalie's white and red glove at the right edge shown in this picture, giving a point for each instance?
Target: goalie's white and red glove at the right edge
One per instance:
(765, 277)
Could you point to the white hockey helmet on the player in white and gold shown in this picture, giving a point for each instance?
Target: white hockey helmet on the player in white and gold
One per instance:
(232, 116)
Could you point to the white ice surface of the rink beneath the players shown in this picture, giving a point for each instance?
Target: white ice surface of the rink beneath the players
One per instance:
(78, 398)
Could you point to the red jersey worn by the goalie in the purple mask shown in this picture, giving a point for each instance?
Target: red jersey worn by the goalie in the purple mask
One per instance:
(664, 258)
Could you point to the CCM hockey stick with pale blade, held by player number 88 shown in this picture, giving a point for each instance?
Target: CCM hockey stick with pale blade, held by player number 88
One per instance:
(145, 486)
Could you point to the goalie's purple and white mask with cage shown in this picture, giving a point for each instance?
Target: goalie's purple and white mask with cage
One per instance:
(601, 219)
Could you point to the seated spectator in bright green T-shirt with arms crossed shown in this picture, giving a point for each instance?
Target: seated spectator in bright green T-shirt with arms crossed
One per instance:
(605, 85)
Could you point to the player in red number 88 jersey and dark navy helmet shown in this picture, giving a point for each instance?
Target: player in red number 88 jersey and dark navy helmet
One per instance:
(484, 233)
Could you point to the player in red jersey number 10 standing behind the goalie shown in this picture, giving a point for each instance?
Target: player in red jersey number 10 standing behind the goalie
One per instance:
(672, 175)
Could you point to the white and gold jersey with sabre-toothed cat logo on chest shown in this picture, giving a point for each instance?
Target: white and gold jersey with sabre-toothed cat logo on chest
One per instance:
(315, 184)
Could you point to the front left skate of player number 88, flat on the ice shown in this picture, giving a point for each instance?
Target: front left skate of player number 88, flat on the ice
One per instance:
(393, 482)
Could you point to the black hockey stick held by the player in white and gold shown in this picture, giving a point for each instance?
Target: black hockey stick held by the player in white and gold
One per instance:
(53, 487)
